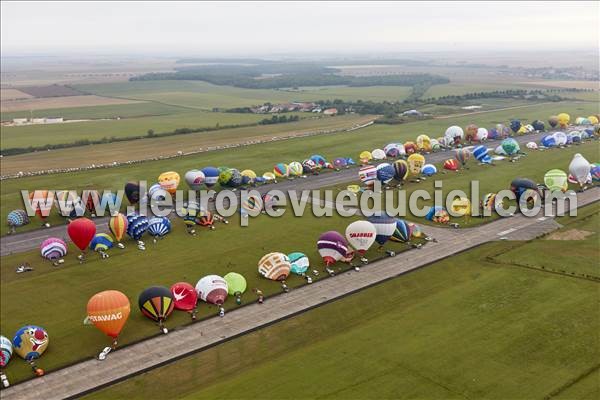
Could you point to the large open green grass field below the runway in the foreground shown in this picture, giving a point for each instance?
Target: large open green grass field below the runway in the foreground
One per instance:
(460, 328)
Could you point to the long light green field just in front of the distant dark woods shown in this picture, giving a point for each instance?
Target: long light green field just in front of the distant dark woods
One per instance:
(204, 95)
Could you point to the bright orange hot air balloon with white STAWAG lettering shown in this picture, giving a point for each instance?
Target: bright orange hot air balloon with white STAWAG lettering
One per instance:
(108, 311)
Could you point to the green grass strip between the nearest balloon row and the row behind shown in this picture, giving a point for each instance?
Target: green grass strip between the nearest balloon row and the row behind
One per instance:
(60, 306)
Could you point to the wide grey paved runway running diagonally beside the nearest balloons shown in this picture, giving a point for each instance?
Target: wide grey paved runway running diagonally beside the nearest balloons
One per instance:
(132, 360)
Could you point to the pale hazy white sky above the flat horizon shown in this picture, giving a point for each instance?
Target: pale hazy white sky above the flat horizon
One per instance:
(243, 28)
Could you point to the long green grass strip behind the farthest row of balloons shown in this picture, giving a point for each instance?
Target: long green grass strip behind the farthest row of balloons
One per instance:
(262, 157)
